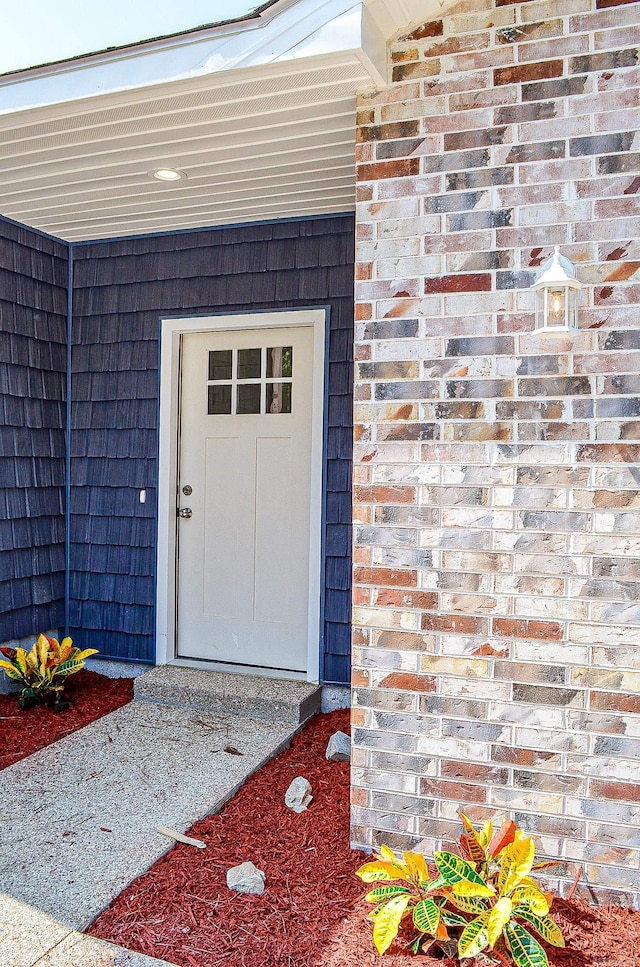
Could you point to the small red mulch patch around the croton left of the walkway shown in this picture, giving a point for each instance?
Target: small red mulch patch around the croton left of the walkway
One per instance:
(91, 696)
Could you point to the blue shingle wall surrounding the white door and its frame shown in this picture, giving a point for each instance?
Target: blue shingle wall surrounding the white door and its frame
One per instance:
(121, 289)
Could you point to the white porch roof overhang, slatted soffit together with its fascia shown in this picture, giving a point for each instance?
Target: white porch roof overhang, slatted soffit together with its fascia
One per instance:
(259, 115)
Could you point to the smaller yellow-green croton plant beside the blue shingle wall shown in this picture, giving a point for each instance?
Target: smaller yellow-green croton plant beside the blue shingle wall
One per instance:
(43, 671)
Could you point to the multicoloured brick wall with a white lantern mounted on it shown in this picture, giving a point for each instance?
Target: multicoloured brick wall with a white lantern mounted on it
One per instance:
(497, 509)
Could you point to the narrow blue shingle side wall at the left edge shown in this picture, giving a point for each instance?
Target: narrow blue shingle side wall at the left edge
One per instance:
(33, 312)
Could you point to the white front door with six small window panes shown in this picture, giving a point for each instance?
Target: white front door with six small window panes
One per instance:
(244, 487)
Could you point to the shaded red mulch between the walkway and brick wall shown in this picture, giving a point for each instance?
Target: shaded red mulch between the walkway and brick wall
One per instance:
(182, 911)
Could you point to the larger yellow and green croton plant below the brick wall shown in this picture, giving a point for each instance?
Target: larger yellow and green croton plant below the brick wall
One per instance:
(480, 906)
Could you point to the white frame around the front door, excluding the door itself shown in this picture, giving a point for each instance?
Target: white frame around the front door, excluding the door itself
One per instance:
(171, 330)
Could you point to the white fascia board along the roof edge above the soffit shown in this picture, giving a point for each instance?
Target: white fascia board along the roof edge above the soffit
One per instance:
(293, 30)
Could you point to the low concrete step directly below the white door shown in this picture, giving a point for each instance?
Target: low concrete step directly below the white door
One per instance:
(267, 699)
